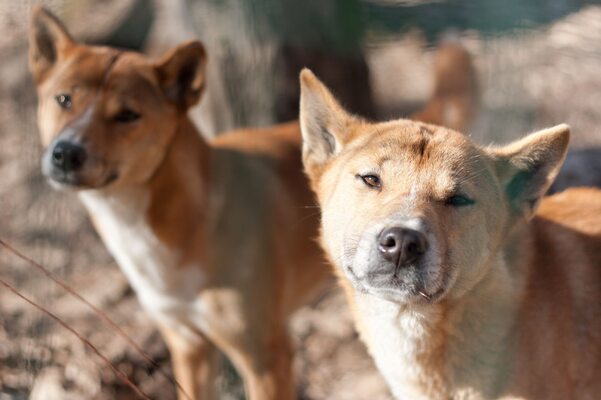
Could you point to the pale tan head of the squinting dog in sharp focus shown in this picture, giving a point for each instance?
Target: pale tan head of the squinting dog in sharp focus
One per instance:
(415, 212)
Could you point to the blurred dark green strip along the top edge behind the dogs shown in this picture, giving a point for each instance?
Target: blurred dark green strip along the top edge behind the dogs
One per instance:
(343, 25)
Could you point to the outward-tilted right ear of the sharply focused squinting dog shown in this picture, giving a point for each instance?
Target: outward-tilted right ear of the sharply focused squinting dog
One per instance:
(527, 167)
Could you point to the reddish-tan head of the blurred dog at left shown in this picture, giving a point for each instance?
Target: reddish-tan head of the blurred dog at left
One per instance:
(106, 116)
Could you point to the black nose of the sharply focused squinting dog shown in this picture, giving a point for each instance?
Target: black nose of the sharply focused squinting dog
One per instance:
(402, 246)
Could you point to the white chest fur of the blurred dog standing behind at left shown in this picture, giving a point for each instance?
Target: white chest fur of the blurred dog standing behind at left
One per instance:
(166, 289)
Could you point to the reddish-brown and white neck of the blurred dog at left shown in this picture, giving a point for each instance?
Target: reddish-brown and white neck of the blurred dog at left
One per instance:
(172, 202)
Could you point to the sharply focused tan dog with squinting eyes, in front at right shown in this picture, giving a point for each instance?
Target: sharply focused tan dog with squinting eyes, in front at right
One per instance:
(455, 293)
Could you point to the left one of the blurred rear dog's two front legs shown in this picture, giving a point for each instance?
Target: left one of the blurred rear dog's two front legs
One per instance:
(194, 364)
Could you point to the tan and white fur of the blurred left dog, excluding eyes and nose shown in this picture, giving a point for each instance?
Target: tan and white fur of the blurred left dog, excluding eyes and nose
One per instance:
(216, 238)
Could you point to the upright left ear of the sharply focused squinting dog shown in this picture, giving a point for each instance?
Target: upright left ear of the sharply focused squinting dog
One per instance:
(324, 123)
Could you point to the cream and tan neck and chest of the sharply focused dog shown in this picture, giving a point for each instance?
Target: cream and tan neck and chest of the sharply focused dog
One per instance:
(453, 348)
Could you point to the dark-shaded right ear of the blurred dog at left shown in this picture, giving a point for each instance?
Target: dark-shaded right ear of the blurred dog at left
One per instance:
(181, 73)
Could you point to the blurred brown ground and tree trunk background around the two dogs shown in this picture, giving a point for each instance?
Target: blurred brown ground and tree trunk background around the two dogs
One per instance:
(537, 63)
